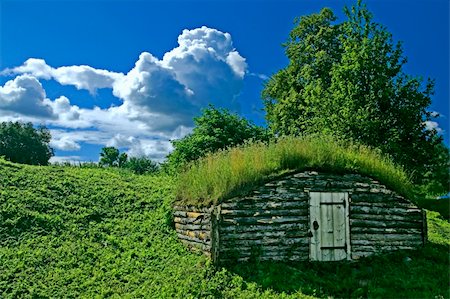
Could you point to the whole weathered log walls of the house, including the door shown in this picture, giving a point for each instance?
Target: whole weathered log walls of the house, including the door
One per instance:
(356, 215)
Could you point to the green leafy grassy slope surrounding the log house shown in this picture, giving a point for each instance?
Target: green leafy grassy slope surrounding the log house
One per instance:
(69, 232)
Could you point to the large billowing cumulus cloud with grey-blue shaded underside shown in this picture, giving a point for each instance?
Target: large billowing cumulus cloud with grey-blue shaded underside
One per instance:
(203, 69)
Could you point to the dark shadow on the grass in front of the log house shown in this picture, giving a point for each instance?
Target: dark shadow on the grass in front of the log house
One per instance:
(404, 274)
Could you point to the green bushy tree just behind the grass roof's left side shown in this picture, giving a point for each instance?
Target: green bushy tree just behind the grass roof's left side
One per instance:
(215, 129)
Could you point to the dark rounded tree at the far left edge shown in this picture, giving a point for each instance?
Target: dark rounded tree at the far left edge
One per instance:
(22, 143)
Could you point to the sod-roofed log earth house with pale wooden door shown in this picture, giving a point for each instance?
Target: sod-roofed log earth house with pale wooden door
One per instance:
(299, 215)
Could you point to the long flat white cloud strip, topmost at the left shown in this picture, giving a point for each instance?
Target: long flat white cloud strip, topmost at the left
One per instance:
(81, 76)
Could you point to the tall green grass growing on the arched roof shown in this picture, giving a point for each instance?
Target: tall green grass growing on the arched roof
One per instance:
(230, 172)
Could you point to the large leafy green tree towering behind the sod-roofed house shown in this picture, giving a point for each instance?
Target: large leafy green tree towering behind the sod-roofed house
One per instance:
(346, 79)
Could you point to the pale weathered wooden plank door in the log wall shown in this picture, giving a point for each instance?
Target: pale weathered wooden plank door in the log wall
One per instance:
(329, 226)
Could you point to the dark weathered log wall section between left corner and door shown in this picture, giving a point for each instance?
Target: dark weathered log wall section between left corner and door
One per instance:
(269, 229)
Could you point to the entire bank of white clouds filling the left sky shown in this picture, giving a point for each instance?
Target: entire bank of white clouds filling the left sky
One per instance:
(159, 97)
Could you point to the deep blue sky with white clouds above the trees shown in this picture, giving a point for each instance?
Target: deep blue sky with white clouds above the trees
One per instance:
(132, 74)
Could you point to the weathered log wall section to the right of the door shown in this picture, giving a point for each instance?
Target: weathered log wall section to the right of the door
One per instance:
(384, 222)
